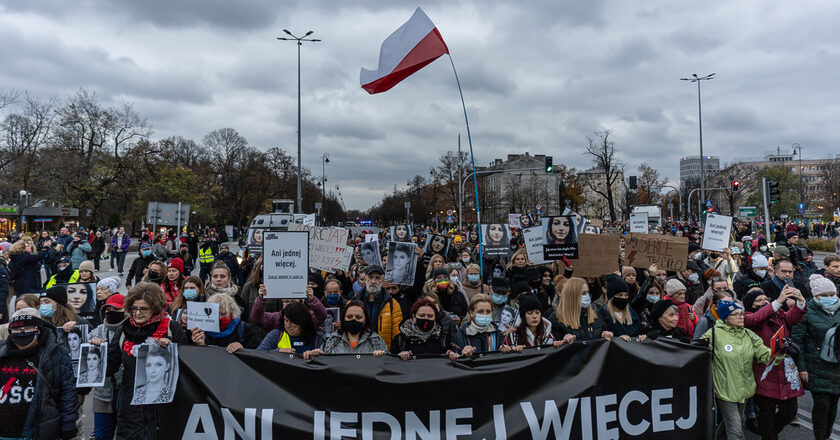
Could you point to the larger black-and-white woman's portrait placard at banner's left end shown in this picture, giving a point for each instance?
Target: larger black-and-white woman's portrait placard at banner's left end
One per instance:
(155, 381)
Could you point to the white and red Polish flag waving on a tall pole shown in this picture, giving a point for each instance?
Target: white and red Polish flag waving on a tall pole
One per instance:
(410, 48)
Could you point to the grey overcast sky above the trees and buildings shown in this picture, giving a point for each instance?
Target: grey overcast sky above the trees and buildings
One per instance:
(537, 77)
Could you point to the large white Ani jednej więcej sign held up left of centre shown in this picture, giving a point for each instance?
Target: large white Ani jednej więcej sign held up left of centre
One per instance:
(286, 264)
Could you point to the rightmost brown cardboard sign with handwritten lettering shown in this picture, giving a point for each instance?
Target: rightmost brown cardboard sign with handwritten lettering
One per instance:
(669, 253)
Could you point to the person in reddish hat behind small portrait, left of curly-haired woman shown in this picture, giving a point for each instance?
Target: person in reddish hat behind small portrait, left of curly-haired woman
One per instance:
(104, 416)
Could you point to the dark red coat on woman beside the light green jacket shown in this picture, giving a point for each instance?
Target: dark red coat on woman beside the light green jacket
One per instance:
(765, 323)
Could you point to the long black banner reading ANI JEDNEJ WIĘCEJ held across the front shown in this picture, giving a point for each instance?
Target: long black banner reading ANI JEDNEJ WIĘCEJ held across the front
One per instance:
(599, 389)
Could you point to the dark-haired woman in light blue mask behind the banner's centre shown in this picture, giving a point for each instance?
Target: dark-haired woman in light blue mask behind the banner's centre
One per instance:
(479, 334)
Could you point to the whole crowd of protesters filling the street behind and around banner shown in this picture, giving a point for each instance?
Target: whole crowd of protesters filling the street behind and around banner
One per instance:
(734, 301)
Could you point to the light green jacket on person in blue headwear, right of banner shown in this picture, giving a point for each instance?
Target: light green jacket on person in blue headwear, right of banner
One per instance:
(734, 352)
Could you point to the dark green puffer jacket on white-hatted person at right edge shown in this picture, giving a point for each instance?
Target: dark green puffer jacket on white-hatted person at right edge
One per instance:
(823, 377)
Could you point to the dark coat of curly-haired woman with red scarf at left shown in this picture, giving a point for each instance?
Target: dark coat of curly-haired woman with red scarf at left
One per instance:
(137, 421)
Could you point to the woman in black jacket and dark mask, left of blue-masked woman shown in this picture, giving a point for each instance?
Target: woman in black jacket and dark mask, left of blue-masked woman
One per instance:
(422, 333)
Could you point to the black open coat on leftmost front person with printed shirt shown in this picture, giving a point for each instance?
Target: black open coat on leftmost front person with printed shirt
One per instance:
(54, 407)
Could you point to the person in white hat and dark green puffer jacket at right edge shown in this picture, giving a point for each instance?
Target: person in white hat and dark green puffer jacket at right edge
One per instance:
(820, 377)
